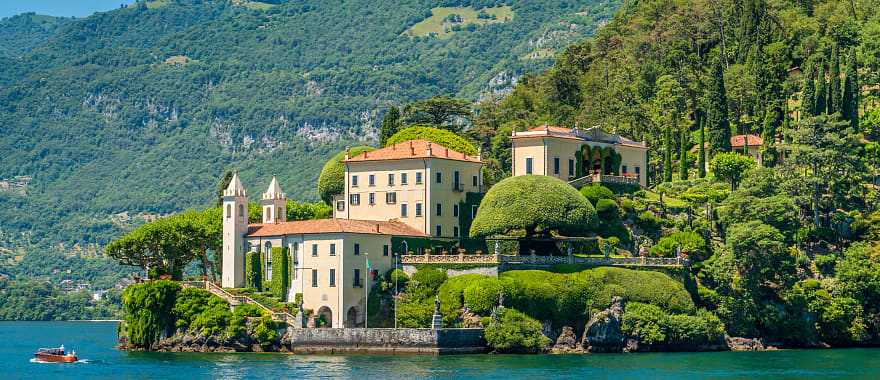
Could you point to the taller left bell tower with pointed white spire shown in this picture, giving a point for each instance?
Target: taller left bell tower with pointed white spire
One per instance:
(235, 221)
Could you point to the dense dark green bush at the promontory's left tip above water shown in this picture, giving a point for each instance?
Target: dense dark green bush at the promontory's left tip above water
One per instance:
(148, 311)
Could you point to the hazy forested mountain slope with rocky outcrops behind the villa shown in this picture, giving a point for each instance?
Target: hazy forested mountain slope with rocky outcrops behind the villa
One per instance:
(141, 109)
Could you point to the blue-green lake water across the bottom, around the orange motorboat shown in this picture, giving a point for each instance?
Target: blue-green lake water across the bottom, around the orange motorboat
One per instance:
(94, 342)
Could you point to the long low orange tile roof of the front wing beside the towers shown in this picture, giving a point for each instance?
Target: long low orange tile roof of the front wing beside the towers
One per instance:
(324, 226)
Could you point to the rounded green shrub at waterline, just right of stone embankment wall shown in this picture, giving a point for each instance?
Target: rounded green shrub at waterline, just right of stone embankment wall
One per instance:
(515, 332)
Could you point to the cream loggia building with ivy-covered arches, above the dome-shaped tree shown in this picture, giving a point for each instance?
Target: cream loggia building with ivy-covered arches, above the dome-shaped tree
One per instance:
(571, 153)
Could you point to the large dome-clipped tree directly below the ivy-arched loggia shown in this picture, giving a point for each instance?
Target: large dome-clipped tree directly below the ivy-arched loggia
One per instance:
(533, 205)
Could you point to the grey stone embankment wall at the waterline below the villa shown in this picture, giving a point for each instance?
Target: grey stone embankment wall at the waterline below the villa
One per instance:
(383, 340)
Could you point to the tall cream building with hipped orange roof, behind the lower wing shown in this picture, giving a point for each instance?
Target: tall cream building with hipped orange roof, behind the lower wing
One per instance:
(419, 183)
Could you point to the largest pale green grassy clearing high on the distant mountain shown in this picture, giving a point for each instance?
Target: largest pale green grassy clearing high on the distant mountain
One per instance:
(436, 23)
